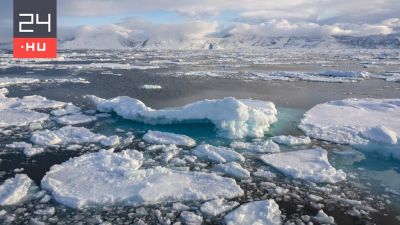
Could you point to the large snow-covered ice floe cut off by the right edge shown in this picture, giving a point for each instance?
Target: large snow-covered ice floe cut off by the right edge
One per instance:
(367, 124)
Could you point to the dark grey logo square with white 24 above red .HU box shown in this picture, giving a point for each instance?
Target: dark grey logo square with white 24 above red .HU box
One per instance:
(41, 7)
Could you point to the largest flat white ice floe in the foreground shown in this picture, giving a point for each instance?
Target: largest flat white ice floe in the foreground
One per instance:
(115, 178)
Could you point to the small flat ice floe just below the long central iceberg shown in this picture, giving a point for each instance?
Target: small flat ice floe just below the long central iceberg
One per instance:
(158, 137)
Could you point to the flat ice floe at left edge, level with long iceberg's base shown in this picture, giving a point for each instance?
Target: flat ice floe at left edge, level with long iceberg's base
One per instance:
(20, 117)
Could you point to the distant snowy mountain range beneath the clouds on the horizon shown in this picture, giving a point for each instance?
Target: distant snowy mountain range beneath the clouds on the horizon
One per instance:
(116, 41)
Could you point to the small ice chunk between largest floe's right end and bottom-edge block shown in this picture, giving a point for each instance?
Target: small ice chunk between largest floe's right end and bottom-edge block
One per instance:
(217, 206)
